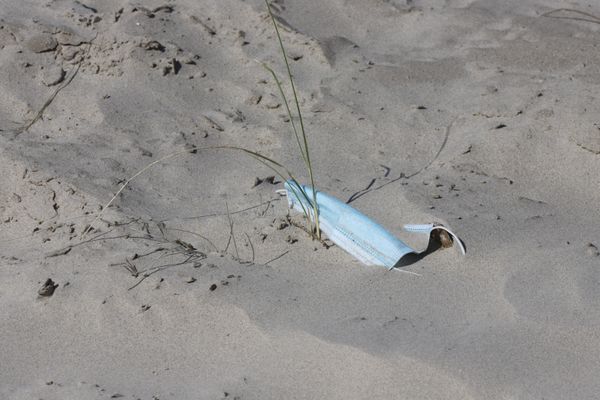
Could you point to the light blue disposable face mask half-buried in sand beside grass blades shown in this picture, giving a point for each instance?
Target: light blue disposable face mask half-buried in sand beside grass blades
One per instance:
(359, 235)
